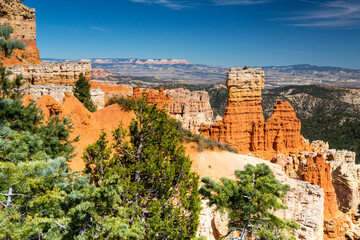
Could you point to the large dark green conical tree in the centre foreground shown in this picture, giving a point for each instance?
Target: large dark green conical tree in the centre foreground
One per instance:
(158, 188)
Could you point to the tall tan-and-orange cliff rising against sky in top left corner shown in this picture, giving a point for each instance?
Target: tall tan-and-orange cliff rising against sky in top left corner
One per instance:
(22, 19)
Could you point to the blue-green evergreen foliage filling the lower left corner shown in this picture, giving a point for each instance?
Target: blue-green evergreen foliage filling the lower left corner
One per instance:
(39, 197)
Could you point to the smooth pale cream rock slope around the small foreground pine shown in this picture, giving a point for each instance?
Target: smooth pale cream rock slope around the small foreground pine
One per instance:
(305, 202)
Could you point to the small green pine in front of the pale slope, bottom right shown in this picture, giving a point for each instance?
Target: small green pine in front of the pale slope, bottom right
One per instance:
(251, 201)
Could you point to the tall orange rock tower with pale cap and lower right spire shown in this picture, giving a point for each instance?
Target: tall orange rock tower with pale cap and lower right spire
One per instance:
(243, 125)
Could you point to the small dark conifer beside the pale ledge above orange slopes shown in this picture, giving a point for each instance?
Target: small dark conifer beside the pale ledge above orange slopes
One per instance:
(82, 92)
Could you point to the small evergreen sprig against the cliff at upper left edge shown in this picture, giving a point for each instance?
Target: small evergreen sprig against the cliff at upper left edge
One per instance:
(8, 45)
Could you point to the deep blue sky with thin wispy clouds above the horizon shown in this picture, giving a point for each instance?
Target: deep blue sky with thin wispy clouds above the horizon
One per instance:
(217, 32)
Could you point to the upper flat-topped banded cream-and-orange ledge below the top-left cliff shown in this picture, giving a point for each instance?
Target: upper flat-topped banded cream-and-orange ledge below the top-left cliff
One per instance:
(66, 73)
